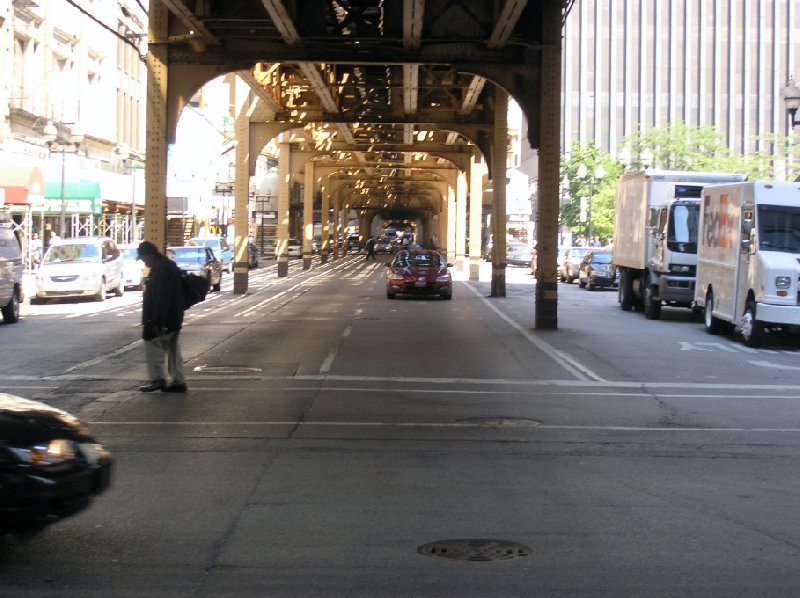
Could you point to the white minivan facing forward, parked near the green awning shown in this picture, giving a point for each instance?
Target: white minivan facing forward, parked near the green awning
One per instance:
(81, 267)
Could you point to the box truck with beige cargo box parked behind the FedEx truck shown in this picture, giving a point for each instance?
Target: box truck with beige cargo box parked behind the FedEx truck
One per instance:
(655, 237)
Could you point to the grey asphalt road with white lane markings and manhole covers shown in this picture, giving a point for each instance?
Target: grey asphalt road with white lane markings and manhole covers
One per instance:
(336, 443)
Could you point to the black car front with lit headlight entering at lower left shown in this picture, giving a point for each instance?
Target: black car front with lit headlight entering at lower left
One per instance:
(50, 465)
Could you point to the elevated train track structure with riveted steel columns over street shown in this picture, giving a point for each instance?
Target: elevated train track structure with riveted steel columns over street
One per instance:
(386, 107)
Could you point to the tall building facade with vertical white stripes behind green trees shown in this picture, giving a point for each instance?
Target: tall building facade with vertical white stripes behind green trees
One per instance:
(645, 63)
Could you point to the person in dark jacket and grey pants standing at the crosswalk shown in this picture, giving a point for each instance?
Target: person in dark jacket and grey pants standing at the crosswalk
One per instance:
(162, 318)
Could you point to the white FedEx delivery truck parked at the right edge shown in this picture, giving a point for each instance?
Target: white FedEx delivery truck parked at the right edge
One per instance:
(748, 260)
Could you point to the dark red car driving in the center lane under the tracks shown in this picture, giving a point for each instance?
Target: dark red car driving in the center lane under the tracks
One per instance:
(419, 272)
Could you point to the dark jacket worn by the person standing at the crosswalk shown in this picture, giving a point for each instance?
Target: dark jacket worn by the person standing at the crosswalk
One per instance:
(162, 303)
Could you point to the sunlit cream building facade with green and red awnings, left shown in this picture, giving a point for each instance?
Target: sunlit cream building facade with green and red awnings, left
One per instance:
(72, 116)
